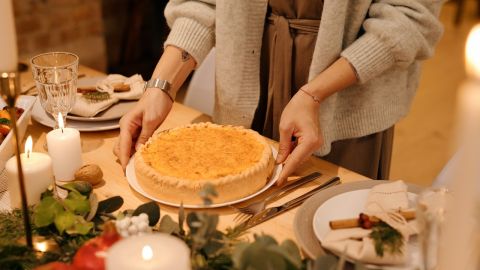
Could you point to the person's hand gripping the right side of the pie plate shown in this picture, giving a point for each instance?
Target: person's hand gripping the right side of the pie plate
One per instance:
(300, 120)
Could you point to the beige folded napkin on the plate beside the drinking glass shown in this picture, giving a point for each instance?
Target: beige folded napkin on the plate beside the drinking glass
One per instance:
(131, 89)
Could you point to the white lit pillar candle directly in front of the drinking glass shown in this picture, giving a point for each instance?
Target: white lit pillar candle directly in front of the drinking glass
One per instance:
(65, 149)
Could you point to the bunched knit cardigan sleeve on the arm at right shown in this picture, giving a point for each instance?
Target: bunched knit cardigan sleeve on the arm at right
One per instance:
(397, 33)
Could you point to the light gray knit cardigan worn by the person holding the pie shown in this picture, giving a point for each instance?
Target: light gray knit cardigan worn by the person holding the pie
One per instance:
(384, 40)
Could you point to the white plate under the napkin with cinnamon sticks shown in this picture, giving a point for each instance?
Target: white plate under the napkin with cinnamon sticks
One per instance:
(349, 205)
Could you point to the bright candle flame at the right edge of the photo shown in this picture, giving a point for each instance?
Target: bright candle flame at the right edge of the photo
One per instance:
(472, 52)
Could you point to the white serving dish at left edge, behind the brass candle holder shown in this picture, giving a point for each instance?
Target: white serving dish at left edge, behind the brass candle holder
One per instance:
(7, 149)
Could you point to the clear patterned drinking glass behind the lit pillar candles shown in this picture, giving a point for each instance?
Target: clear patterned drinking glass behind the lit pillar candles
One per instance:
(55, 75)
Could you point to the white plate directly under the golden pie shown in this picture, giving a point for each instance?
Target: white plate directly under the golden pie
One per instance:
(132, 180)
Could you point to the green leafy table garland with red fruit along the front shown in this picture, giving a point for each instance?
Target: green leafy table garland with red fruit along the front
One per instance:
(79, 220)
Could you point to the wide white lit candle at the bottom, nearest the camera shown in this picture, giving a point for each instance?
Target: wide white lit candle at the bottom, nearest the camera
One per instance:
(147, 252)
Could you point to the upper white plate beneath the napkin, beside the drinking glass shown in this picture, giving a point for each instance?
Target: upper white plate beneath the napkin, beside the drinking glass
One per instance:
(114, 112)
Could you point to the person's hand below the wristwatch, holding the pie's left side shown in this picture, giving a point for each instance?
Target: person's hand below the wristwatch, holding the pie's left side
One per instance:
(138, 125)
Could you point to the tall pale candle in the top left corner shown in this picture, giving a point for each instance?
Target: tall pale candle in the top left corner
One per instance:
(8, 39)
